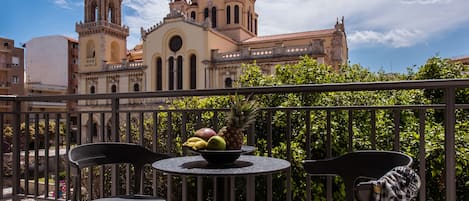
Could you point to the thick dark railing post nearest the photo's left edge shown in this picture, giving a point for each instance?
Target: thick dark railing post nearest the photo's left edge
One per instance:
(16, 148)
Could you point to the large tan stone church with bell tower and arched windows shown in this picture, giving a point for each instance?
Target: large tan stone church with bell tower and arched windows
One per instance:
(200, 44)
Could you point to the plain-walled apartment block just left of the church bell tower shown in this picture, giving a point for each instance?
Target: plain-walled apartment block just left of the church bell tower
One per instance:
(51, 69)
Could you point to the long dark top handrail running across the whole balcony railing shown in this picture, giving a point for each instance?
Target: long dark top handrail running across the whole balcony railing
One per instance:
(308, 88)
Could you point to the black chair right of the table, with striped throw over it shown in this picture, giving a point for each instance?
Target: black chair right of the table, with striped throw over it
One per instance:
(352, 166)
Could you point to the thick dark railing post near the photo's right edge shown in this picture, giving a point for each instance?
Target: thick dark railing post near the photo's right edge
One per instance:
(450, 154)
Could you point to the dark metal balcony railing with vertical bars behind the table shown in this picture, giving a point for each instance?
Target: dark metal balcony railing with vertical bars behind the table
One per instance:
(38, 158)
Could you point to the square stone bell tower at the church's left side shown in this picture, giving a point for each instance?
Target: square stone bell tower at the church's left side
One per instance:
(102, 37)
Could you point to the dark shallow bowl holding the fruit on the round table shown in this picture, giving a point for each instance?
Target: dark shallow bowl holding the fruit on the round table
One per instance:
(224, 156)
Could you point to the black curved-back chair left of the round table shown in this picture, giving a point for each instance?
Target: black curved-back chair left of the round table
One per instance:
(95, 154)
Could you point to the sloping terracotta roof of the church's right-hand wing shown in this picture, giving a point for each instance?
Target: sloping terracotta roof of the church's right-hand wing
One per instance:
(290, 36)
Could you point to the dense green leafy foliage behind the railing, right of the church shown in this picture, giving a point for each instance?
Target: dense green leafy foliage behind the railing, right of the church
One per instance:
(289, 132)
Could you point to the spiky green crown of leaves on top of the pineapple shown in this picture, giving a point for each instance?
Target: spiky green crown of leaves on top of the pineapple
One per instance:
(243, 112)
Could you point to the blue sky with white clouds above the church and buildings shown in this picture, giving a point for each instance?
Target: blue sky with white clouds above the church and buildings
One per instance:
(382, 35)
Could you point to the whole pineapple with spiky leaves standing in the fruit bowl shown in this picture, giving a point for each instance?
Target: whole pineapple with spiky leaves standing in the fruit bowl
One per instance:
(242, 115)
